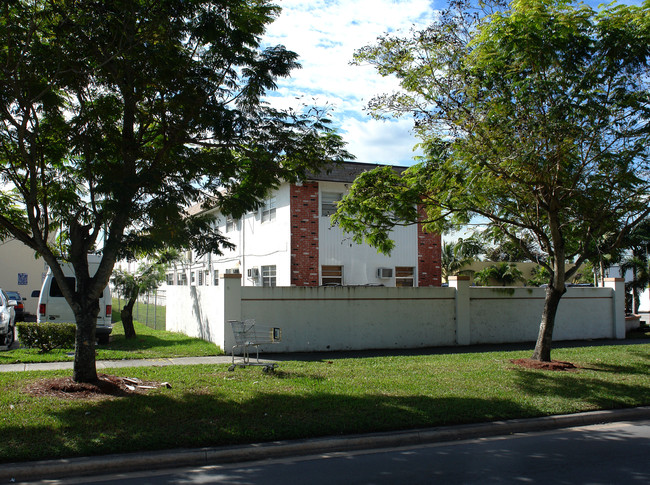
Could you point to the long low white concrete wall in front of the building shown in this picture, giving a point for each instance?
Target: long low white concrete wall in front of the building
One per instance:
(355, 318)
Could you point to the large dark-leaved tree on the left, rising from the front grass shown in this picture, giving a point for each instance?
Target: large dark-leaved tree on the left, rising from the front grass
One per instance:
(117, 115)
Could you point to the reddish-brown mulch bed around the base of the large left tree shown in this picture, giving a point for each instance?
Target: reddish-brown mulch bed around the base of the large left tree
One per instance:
(105, 388)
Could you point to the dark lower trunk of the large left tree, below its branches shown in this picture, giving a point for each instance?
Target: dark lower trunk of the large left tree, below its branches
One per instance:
(85, 369)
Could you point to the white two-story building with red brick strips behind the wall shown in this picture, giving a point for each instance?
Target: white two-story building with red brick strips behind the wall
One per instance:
(290, 242)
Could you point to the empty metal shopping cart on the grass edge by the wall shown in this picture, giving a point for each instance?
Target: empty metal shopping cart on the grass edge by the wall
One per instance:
(248, 334)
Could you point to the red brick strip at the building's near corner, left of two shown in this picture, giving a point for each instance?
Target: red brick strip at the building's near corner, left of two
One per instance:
(304, 234)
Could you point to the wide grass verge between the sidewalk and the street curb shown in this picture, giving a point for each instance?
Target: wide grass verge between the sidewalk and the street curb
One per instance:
(209, 406)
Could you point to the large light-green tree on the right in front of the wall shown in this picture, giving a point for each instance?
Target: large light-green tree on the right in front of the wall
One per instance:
(533, 117)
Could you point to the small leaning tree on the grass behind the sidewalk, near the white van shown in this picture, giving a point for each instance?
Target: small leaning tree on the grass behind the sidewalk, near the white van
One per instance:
(132, 285)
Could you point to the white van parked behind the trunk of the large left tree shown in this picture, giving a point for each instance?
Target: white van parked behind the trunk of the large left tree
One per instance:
(52, 306)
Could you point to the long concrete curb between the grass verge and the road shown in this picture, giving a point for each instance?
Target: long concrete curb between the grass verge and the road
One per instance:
(221, 455)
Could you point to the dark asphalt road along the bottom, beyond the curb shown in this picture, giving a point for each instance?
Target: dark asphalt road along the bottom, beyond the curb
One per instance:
(615, 453)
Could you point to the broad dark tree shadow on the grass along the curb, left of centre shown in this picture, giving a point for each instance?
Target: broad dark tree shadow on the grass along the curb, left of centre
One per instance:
(163, 421)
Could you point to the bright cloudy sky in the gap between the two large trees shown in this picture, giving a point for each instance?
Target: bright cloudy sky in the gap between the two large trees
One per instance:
(325, 33)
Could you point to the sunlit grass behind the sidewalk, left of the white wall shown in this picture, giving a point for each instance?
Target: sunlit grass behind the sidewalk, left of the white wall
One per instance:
(149, 344)
